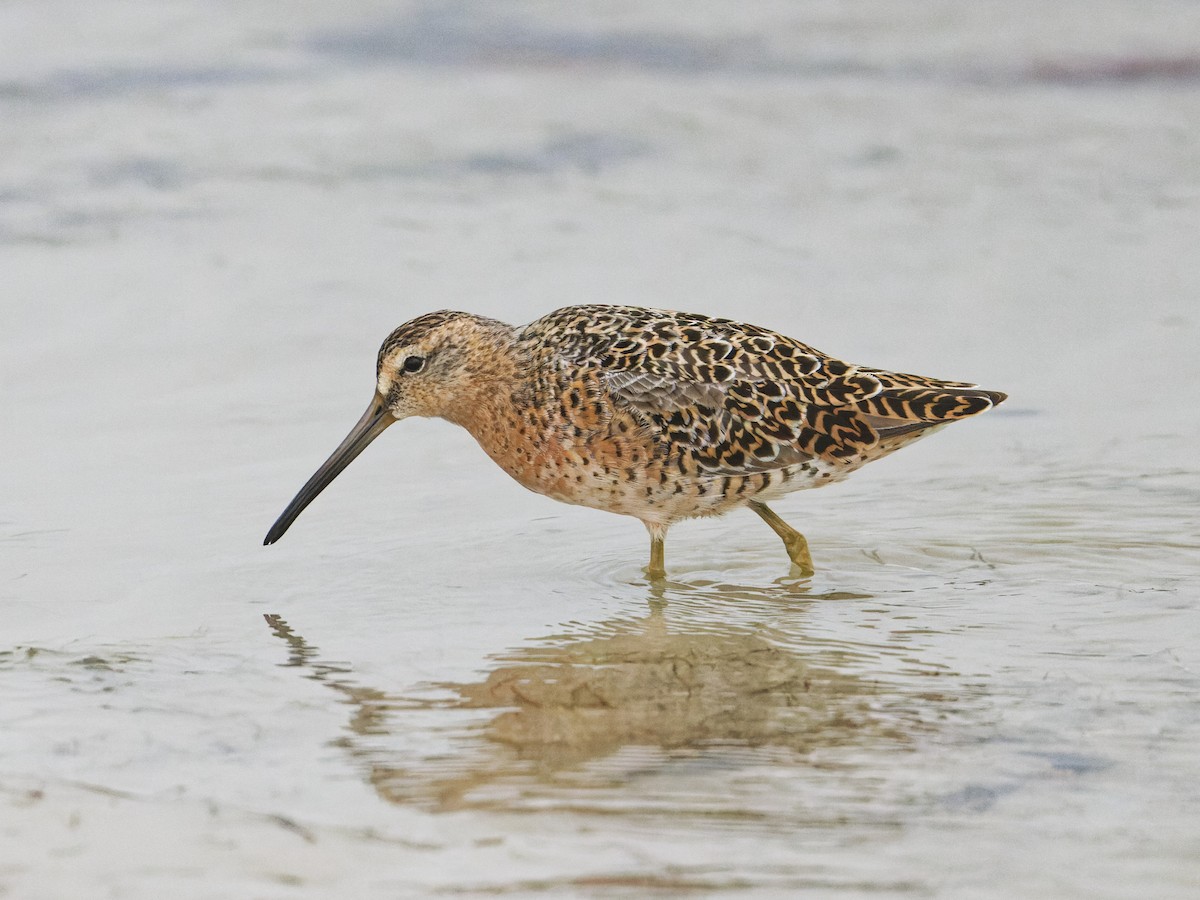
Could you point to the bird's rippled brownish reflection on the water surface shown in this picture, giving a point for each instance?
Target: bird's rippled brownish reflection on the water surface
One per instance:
(583, 711)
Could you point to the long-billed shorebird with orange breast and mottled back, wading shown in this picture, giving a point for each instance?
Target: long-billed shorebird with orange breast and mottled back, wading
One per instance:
(655, 415)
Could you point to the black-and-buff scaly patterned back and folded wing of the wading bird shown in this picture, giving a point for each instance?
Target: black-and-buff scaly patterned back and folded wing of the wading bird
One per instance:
(743, 399)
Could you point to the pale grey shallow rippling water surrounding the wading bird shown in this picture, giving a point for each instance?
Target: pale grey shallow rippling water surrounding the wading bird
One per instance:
(439, 683)
